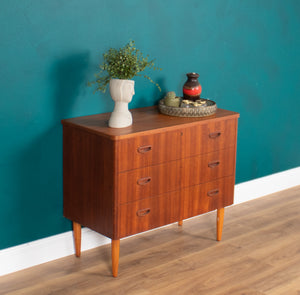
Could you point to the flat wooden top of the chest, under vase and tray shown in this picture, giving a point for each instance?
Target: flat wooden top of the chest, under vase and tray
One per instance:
(144, 120)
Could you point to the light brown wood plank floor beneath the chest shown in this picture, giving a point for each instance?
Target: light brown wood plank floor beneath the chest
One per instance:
(259, 254)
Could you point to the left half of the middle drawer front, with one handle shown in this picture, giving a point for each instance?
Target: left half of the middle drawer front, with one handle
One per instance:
(148, 181)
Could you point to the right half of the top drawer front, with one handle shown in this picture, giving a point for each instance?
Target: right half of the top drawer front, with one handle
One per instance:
(205, 138)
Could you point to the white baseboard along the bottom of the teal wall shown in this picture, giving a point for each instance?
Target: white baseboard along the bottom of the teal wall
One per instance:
(37, 252)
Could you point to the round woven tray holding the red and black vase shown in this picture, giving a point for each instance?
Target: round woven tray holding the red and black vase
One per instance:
(202, 111)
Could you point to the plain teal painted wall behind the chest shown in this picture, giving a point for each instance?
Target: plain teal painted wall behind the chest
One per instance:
(246, 52)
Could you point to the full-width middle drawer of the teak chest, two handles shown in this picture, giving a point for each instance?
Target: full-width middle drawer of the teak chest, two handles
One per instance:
(158, 179)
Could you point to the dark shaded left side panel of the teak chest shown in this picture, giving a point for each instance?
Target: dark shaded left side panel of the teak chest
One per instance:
(88, 172)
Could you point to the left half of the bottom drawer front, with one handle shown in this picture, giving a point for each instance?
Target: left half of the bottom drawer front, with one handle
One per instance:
(147, 214)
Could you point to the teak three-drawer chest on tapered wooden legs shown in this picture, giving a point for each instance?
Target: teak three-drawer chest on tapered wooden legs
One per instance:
(160, 170)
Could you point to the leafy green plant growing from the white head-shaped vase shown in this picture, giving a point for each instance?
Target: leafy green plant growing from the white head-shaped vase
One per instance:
(124, 63)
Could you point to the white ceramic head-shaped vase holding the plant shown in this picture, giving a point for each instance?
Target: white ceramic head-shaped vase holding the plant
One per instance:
(121, 92)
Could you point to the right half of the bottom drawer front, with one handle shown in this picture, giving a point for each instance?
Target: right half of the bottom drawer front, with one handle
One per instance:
(207, 196)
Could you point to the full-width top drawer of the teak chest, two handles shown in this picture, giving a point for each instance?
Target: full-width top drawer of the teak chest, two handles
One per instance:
(187, 141)
